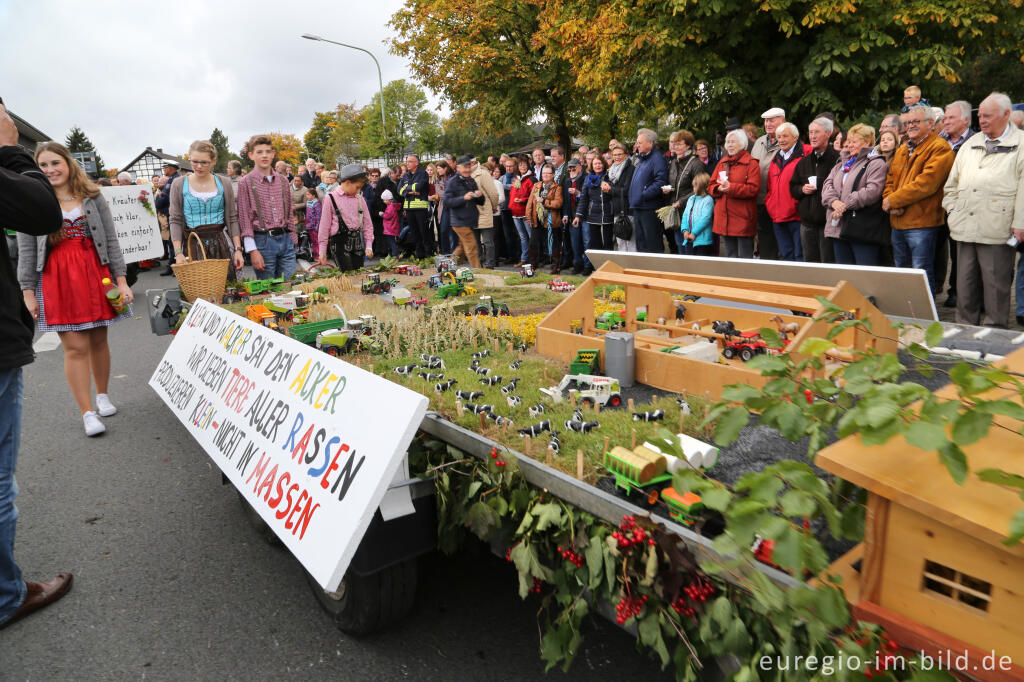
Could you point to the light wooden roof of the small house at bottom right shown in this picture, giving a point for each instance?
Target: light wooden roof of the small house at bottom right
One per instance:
(918, 480)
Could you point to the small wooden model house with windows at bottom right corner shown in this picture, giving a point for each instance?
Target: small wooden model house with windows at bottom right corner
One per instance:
(933, 569)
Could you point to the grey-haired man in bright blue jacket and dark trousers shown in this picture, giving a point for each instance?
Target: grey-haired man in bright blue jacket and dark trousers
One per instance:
(650, 176)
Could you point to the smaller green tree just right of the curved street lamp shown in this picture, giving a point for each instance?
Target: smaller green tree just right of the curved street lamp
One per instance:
(409, 123)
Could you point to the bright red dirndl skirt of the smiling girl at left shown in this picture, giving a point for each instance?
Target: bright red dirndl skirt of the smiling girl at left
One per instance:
(73, 289)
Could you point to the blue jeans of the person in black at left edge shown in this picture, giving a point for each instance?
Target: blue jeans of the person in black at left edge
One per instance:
(13, 588)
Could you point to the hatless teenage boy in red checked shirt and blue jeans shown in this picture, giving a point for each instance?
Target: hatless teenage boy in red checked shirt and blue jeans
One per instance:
(266, 212)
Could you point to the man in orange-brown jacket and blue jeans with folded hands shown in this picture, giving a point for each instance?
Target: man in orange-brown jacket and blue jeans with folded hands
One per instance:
(913, 195)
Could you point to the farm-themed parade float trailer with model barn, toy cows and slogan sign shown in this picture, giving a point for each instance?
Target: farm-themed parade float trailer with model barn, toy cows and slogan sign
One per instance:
(614, 482)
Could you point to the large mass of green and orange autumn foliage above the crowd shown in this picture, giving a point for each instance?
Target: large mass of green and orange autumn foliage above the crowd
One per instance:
(703, 61)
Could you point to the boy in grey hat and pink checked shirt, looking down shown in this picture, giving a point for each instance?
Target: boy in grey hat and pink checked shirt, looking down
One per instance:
(346, 229)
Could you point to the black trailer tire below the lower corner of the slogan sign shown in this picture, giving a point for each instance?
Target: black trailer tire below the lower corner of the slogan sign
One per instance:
(365, 605)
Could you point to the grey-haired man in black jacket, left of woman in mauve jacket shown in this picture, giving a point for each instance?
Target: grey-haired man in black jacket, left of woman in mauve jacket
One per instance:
(806, 187)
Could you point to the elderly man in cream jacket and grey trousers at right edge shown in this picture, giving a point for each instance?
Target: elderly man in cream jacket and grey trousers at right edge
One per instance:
(985, 196)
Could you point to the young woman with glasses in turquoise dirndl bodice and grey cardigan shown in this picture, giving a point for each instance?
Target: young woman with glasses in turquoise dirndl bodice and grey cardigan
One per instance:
(204, 204)
